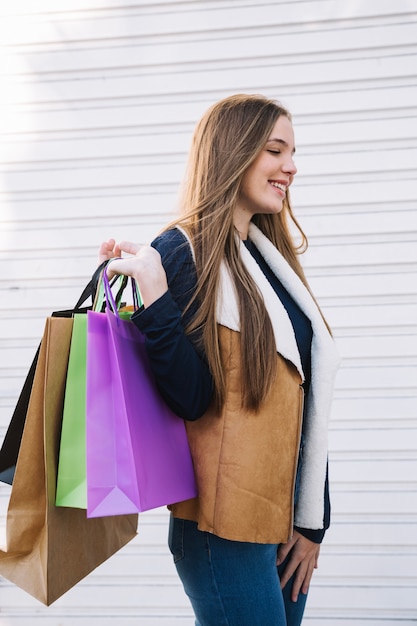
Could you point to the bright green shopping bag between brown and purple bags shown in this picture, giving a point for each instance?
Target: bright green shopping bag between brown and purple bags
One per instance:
(71, 487)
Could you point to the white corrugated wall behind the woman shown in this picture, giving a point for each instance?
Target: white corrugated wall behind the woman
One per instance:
(99, 101)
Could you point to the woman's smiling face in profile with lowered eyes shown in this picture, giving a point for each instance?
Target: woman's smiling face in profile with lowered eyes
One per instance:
(266, 181)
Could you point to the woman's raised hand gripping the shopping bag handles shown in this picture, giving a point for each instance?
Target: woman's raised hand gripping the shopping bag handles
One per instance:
(145, 266)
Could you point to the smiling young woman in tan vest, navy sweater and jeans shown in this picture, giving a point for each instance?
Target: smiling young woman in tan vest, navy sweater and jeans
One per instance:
(240, 351)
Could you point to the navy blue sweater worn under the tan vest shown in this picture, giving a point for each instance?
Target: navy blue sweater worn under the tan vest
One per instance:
(177, 360)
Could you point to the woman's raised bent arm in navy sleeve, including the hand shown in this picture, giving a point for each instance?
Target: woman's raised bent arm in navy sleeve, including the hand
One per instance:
(165, 274)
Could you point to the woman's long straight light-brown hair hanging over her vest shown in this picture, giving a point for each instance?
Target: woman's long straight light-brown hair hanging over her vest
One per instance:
(225, 143)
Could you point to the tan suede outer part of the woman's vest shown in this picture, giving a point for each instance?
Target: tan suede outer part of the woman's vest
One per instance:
(245, 463)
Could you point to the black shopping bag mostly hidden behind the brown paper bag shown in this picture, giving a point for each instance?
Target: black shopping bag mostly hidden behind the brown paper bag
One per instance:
(11, 443)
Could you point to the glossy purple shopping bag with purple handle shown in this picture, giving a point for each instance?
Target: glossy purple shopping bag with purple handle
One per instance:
(138, 456)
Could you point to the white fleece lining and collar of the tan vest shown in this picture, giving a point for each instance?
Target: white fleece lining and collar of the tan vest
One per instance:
(324, 362)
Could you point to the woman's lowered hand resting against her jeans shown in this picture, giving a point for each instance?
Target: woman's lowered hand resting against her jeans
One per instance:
(303, 556)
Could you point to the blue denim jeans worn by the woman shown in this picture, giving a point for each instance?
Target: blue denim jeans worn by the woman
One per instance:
(231, 583)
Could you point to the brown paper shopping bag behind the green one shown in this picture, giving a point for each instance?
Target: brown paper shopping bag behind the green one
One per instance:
(50, 549)
